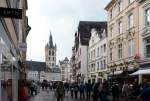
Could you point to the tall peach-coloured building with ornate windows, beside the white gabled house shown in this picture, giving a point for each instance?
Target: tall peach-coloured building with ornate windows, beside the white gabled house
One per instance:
(123, 37)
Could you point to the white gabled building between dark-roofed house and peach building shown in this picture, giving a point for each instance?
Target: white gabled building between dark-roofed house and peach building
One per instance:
(97, 53)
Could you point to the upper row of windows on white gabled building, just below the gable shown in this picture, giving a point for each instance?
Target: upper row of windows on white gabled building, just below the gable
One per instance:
(99, 50)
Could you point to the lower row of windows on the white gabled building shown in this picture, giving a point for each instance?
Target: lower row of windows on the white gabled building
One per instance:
(97, 66)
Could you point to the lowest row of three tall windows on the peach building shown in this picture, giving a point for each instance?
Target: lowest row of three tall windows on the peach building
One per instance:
(120, 50)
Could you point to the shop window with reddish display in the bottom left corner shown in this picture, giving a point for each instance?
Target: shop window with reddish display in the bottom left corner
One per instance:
(6, 79)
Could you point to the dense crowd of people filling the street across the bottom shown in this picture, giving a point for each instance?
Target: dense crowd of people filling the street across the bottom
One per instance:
(88, 91)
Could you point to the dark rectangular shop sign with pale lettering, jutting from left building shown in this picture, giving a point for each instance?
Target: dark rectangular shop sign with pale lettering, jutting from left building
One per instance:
(11, 13)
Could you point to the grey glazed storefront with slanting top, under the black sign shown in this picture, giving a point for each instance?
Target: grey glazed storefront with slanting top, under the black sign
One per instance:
(8, 68)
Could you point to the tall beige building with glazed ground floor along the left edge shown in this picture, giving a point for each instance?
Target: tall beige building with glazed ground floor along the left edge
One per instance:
(12, 32)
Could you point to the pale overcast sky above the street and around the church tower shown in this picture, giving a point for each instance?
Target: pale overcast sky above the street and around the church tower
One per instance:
(61, 17)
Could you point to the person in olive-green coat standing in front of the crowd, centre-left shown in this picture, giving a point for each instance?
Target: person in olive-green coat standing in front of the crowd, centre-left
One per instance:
(60, 91)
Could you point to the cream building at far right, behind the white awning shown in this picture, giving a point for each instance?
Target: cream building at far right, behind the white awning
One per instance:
(144, 40)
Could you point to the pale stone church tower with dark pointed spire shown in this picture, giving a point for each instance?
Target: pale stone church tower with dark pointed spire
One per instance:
(50, 53)
